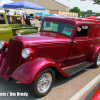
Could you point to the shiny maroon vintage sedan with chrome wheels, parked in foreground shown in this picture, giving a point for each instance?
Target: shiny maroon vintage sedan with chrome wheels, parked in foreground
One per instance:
(64, 45)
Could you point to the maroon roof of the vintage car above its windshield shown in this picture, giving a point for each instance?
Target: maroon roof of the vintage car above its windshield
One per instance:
(75, 20)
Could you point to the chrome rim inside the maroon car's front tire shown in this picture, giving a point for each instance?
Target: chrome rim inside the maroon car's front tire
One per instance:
(44, 82)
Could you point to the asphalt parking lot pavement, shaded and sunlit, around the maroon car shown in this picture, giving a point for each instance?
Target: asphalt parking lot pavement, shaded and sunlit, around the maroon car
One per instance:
(64, 87)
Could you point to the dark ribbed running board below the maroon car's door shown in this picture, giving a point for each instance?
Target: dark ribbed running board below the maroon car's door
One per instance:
(76, 68)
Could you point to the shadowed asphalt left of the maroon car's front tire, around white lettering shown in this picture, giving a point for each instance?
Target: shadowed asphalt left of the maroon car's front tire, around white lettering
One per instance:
(13, 87)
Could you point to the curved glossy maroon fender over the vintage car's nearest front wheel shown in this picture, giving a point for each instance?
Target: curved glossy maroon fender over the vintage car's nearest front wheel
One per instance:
(28, 71)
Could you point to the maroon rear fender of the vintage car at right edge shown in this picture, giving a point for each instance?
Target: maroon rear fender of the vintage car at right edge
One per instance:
(94, 53)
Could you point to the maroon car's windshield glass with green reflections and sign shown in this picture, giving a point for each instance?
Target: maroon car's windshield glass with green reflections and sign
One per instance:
(58, 27)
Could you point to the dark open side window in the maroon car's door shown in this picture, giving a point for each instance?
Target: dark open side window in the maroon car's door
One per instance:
(82, 31)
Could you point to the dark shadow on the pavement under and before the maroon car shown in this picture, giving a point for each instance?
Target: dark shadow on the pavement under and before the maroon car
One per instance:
(13, 87)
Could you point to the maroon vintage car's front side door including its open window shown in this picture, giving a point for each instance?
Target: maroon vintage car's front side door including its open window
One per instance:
(79, 47)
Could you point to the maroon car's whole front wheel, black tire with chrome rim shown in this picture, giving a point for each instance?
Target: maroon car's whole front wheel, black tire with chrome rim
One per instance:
(43, 83)
